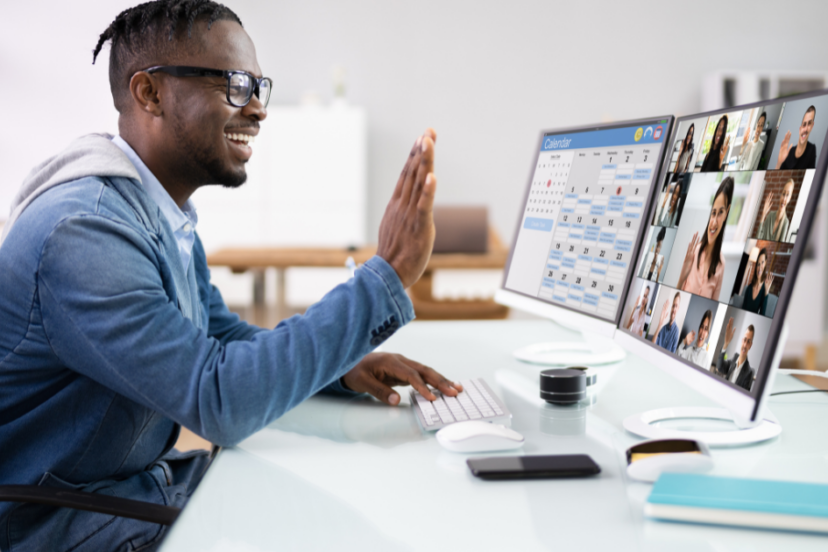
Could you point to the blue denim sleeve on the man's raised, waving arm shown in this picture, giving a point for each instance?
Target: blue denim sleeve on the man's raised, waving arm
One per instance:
(108, 316)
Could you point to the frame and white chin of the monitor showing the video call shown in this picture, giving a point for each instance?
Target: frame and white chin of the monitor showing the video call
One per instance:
(740, 402)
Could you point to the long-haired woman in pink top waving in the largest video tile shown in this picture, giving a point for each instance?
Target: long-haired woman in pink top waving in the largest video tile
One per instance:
(703, 267)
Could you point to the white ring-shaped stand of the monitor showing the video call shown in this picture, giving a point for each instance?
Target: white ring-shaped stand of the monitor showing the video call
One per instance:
(744, 433)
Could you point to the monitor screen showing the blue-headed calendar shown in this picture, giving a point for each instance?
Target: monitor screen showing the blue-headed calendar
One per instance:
(583, 215)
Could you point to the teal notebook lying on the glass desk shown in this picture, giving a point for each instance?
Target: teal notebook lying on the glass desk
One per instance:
(741, 502)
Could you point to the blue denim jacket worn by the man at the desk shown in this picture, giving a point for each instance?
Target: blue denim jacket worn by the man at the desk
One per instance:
(99, 364)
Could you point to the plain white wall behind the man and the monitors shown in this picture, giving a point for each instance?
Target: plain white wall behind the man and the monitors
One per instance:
(487, 75)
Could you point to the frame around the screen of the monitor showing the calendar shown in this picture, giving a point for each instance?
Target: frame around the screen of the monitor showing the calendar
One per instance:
(577, 321)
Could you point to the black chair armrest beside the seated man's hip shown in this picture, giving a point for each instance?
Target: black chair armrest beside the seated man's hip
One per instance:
(91, 502)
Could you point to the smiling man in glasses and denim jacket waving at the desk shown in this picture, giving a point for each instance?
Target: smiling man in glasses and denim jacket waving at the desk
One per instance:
(111, 336)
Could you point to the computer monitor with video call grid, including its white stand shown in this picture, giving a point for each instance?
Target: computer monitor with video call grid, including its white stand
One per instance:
(725, 236)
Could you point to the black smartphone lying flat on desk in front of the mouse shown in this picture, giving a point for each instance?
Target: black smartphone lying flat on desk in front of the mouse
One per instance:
(533, 467)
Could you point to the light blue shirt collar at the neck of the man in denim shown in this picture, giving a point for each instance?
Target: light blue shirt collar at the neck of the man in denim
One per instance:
(182, 221)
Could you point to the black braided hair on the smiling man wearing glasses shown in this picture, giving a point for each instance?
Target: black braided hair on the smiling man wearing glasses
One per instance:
(137, 38)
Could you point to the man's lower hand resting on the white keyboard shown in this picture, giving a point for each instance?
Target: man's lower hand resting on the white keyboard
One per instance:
(378, 372)
